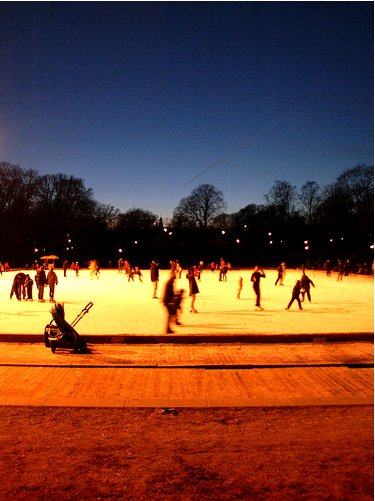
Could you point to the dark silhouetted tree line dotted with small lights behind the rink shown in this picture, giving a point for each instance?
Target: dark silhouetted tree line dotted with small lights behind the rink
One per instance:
(44, 214)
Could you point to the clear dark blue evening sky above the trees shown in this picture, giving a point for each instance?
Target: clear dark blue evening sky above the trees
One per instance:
(140, 98)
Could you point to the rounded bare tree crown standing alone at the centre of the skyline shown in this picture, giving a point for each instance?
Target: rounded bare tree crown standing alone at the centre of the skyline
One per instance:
(200, 208)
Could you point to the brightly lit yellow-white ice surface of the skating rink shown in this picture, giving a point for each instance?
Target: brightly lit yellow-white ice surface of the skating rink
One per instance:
(123, 307)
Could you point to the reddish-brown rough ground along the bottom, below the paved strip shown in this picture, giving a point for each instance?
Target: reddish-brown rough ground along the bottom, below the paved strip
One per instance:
(187, 454)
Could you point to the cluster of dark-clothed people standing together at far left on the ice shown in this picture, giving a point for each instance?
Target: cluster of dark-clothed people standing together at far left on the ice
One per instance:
(22, 286)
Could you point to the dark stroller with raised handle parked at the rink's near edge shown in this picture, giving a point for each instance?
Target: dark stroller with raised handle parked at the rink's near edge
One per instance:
(60, 334)
